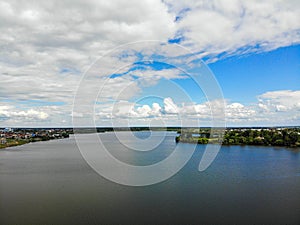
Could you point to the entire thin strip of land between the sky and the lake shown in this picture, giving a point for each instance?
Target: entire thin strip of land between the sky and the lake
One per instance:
(280, 136)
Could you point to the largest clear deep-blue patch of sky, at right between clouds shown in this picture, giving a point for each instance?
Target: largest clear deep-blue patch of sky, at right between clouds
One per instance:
(243, 78)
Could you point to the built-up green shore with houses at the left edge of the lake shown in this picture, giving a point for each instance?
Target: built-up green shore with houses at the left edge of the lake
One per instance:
(10, 137)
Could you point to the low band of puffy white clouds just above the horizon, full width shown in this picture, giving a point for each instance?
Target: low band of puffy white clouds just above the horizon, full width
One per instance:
(271, 109)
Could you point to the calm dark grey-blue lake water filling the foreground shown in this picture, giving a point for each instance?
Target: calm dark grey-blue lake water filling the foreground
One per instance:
(50, 183)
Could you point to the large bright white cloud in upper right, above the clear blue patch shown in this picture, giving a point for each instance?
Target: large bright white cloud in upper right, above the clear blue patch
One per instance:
(237, 26)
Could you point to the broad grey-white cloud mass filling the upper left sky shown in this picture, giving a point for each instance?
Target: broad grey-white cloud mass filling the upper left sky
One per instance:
(46, 46)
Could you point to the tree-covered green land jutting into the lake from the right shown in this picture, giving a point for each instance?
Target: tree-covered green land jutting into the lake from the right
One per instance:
(286, 137)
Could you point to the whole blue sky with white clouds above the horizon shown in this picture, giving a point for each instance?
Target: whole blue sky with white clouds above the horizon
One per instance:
(150, 62)
